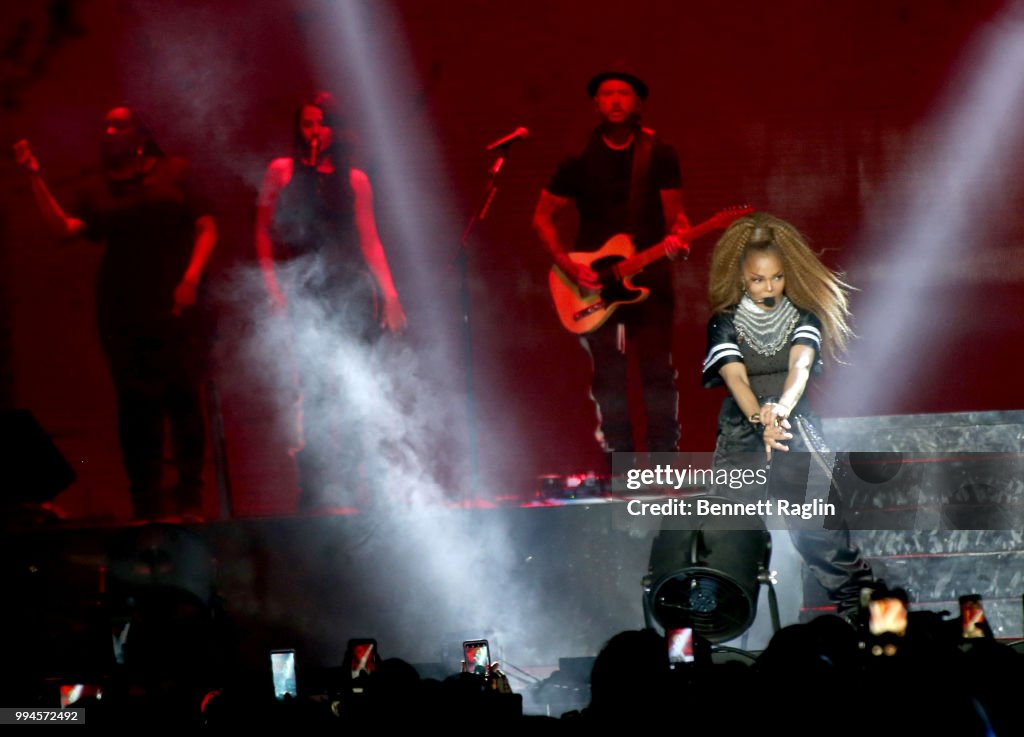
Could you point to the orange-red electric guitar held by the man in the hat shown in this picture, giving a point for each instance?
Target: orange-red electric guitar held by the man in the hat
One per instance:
(583, 311)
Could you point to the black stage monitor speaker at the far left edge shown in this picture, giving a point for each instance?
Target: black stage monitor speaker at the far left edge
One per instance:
(32, 469)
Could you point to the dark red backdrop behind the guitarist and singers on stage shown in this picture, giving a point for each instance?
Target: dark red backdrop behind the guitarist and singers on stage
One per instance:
(806, 110)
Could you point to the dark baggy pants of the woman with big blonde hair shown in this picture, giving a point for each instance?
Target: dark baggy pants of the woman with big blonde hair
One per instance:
(827, 550)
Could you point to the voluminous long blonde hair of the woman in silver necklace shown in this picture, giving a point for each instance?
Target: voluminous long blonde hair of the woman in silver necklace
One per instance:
(809, 284)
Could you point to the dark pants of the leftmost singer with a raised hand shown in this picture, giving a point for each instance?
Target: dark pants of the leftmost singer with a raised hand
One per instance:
(157, 372)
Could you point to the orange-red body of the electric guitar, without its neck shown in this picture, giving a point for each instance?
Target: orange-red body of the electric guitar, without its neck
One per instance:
(584, 312)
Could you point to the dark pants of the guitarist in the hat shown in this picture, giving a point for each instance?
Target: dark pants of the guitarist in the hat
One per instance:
(649, 337)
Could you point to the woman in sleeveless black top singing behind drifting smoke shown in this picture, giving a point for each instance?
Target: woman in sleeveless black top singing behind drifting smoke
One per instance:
(317, 233)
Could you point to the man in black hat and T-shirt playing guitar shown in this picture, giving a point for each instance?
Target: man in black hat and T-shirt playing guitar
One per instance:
(625, 182)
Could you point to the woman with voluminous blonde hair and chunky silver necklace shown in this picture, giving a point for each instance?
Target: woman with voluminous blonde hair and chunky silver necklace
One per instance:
(776, 310)
